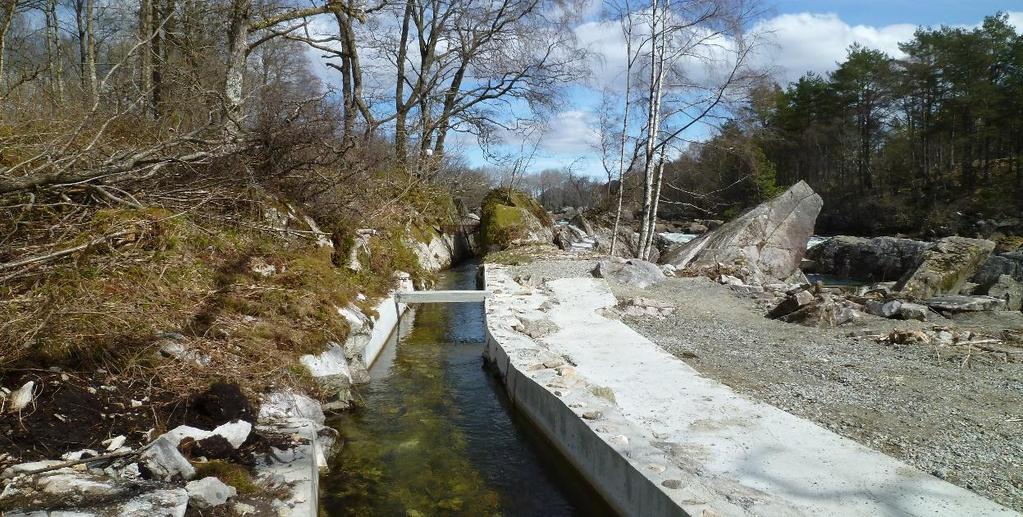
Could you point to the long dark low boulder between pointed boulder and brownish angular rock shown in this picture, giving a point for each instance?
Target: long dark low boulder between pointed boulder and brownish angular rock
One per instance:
(878, 260)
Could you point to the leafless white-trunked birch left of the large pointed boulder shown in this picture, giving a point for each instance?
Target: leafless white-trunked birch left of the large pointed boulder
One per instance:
(696, 55)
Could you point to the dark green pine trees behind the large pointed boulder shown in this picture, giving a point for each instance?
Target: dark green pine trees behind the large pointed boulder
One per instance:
(927, 143)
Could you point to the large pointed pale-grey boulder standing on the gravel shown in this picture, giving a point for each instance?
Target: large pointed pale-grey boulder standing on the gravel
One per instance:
(771, 240)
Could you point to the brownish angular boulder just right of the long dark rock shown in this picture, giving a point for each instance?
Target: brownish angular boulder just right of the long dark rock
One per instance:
(947, 267)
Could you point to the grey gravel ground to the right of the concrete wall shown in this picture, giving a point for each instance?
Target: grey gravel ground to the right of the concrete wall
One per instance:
(962, 424)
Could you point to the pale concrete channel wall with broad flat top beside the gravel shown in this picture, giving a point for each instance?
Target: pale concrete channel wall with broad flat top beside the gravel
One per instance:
(657, 439)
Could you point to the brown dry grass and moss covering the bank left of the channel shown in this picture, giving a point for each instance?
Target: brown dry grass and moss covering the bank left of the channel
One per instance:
(191, 275)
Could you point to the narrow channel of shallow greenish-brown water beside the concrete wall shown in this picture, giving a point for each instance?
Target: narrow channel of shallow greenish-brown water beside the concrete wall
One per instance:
(437, 436)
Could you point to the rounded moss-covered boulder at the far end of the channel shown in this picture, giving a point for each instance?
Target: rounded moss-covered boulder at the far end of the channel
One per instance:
(513, 219)
